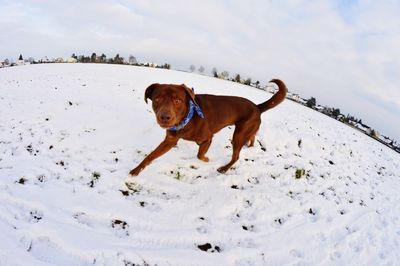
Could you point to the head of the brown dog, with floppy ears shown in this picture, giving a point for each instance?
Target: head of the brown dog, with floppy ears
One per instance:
(170, 102)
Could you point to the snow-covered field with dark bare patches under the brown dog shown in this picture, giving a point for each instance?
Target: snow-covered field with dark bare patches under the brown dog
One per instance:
(70, 134)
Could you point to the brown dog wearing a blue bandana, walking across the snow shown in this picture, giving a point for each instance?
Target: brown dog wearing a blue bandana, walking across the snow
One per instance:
(198, 117)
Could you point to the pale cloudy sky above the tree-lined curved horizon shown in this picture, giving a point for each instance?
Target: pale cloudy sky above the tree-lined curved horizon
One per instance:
(345, 53)
